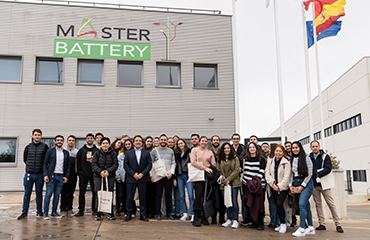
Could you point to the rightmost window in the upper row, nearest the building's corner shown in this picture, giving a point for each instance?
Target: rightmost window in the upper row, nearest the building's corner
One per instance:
(205, 76)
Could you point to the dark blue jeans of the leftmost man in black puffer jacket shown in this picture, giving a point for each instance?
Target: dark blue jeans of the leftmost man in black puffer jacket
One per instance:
(28, 180)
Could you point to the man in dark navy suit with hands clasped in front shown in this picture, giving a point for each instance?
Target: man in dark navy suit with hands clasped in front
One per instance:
(137, 164)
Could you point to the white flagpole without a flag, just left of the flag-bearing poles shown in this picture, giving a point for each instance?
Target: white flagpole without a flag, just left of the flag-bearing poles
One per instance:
(280, 88)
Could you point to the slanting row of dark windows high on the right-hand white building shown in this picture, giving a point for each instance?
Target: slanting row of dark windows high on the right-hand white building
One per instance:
(339, 127)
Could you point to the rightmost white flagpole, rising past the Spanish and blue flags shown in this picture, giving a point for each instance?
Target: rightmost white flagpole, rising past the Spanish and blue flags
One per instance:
(318, 78)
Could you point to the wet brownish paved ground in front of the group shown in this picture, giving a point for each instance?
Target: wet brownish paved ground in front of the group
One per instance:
(356, 227)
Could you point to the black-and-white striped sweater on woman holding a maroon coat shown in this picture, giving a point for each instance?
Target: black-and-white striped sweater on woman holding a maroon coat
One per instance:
(253, 167)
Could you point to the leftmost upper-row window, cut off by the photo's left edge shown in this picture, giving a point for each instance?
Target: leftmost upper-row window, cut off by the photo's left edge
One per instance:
(10, 69)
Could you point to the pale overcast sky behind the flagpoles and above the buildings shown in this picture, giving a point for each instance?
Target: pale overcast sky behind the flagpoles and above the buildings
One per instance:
(256, 51)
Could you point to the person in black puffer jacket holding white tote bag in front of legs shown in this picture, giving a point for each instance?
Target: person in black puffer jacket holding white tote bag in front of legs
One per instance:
(104, 165)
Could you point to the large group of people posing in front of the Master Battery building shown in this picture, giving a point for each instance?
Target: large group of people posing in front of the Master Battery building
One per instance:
(228, 172)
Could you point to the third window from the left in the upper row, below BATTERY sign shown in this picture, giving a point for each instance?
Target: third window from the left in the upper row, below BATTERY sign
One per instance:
(90, 71)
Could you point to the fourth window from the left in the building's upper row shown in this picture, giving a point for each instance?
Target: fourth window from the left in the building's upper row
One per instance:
(130, 73)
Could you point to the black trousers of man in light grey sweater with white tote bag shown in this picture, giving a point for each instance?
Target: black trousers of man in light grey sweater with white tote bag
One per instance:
(167, 185)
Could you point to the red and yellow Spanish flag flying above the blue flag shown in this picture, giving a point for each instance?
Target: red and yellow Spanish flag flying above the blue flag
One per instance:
(327, 12)
